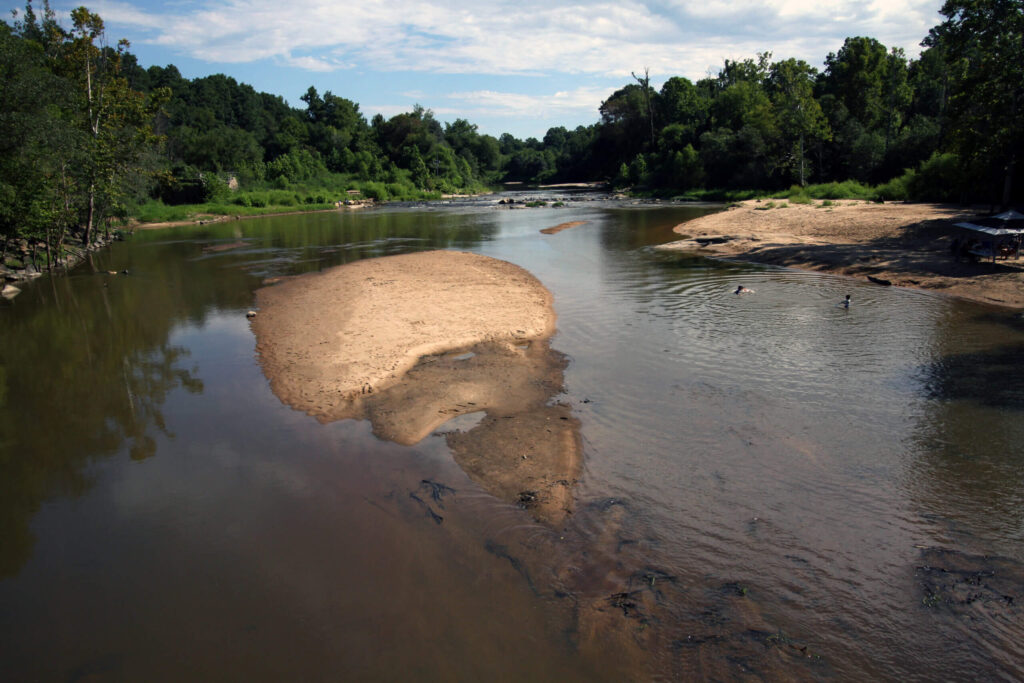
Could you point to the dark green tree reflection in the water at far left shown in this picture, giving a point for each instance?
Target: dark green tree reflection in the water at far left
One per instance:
(89, 387)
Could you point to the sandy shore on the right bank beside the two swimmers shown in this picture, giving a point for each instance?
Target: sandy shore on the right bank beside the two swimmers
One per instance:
(905, 244)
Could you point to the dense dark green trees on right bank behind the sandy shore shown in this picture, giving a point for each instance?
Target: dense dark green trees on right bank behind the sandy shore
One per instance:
(945, 126)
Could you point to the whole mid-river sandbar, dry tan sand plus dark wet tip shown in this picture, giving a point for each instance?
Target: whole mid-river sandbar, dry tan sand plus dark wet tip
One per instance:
(411, 343)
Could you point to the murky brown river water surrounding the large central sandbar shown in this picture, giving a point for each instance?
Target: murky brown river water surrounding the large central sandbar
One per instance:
(774, 487)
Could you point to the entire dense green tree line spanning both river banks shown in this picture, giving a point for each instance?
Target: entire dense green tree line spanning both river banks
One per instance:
(88, 135)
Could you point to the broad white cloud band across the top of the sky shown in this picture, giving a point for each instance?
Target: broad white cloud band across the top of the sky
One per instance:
(605, 37)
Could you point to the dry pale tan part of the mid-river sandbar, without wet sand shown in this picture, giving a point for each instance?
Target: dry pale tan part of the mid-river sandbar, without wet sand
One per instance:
(327, 338)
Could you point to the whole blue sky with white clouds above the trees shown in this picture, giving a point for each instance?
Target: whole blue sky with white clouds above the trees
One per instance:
(520, 67)
